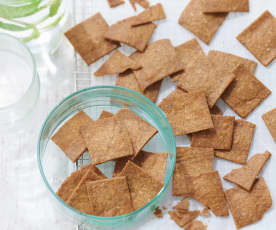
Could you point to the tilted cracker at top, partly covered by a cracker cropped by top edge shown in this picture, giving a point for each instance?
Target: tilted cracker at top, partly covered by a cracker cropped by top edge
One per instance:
(204, 26)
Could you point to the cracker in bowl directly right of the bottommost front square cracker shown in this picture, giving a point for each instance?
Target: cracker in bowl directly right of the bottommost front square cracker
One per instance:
(142, 186)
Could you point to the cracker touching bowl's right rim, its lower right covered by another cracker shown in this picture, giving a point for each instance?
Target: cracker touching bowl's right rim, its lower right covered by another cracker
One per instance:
(190, 162)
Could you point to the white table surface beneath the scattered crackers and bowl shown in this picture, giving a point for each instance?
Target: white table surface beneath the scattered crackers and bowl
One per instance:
(24, 201)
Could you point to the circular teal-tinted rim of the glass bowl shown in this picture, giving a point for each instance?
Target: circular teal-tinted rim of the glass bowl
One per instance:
(99, 218)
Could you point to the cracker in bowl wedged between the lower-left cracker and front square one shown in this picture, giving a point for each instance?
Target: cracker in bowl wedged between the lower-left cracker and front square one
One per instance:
(79, 197)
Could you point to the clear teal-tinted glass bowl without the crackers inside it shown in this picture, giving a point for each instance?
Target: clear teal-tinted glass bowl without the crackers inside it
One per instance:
(54, 166)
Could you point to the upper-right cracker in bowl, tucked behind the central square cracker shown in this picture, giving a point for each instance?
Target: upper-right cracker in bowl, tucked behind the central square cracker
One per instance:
(139, 131)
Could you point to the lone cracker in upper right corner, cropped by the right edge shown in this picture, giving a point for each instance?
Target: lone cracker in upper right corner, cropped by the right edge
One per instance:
(260, 38)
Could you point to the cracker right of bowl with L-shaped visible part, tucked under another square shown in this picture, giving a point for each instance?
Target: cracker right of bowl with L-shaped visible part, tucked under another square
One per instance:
(242, 139)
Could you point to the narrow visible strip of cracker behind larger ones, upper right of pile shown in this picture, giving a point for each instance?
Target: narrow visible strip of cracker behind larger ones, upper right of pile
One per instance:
(229, 62)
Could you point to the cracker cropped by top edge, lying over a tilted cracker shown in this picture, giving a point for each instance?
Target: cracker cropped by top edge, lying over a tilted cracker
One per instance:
(225, 6)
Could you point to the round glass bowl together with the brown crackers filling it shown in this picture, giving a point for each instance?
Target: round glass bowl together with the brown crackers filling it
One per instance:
(107, 155)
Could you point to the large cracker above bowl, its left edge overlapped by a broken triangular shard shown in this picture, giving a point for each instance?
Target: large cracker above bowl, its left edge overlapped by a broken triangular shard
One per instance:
(158, 61)
